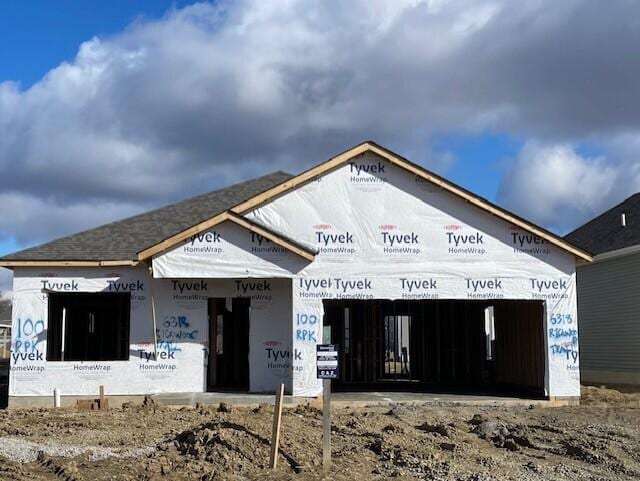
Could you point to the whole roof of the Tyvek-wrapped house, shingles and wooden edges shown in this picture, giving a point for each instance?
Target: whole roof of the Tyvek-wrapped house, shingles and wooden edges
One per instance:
(141, 237)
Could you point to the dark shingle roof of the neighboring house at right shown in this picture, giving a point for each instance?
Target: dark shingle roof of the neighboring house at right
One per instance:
(605, 233)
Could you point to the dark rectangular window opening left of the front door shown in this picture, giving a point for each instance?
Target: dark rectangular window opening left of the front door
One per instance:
(88, 327)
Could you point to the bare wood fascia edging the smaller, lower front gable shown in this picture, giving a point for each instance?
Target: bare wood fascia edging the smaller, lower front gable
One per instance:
(172, 241)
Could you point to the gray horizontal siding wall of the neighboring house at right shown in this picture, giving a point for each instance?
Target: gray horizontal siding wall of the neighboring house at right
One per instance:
(609, 315)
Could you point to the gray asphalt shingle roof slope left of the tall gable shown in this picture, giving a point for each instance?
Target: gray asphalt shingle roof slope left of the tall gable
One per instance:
(123, 239)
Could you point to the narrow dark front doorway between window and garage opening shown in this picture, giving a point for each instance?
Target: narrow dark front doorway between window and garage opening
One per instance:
(228, 366)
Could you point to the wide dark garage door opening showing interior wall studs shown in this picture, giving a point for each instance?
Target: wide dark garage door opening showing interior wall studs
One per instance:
(492, 346)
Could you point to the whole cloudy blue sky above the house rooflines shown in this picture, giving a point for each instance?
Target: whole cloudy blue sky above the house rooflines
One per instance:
(147, 102)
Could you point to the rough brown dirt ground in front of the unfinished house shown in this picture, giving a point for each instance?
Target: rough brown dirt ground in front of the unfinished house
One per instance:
(599, 440)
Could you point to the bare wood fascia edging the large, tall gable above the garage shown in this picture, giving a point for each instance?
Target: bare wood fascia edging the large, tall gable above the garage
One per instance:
(418, 171)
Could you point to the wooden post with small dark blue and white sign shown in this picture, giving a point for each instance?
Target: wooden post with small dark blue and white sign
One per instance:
(327, 369)
